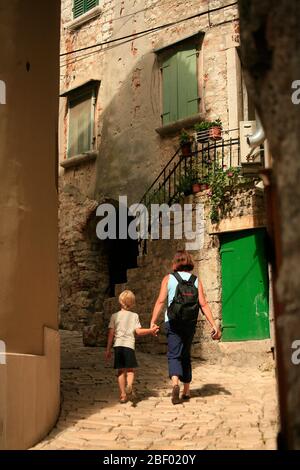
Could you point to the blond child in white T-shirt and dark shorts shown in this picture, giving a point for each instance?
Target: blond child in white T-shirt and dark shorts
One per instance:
(123, 326)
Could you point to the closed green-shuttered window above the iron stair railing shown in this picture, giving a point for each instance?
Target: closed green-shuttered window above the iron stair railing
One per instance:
(180, 82)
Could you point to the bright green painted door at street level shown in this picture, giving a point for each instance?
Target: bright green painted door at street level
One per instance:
(245, 286)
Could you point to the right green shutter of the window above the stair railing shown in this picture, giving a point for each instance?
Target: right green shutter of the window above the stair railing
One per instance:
(188, 99)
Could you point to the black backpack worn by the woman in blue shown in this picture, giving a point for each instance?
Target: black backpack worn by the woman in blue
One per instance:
(185, 305)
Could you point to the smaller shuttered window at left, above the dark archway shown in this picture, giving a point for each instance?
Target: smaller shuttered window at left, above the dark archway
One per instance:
(81, 117)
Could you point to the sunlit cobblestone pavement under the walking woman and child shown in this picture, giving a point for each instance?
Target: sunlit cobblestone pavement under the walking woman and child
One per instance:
(231, 407)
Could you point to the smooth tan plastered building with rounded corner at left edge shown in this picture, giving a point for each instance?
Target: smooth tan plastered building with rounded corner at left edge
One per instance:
(30, 369)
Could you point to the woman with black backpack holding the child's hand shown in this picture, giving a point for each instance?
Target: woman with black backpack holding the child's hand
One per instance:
(180, 321)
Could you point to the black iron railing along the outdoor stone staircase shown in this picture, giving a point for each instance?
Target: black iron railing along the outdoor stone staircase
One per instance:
(195, 164)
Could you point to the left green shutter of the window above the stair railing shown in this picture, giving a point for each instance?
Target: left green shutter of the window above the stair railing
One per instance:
(169, 78)
